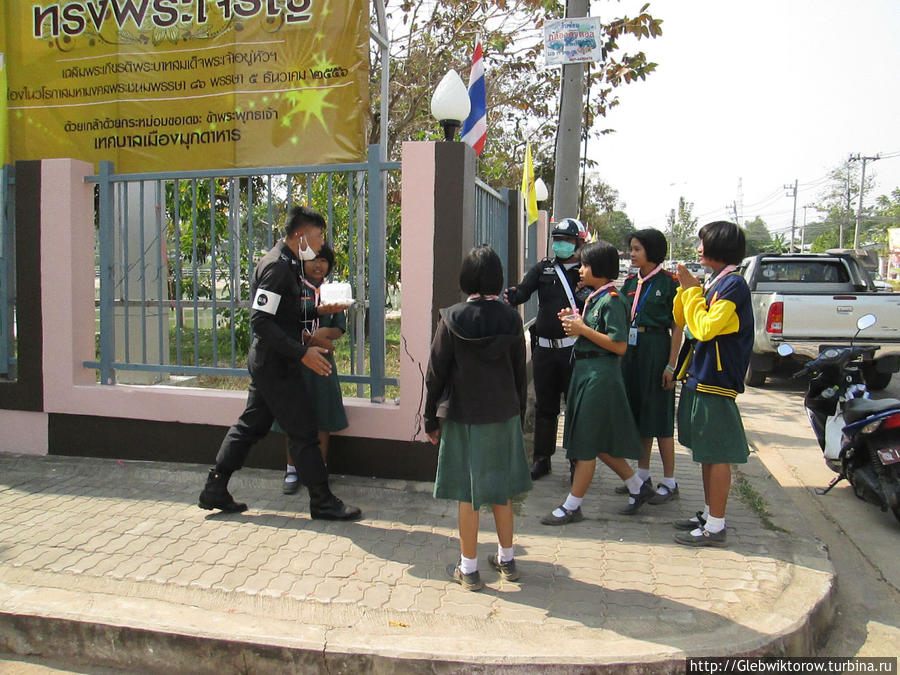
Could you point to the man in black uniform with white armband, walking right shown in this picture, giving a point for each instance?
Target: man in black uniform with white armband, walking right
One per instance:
(277, 354)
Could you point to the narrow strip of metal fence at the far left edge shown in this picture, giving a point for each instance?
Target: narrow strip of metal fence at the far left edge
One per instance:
(7, 274)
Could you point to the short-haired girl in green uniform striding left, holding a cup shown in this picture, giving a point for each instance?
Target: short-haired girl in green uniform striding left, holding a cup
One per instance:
(599, 422)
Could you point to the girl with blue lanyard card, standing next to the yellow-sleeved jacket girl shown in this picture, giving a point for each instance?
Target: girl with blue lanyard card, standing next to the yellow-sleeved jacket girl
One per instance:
(649, 363)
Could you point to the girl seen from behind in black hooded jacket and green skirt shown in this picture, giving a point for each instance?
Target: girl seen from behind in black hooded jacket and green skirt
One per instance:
(476, 396)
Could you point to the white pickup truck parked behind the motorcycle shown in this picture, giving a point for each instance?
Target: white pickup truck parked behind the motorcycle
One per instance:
(811, 300)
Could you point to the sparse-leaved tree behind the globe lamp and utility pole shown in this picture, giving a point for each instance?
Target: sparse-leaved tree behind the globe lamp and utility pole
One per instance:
(522, 96)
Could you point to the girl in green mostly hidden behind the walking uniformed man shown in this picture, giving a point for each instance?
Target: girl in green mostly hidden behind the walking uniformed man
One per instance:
(322, 326)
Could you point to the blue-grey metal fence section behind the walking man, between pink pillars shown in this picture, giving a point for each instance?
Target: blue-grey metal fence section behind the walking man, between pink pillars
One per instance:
(176, 252)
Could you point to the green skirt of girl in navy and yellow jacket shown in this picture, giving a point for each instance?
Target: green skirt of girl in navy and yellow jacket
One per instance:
(711, 427)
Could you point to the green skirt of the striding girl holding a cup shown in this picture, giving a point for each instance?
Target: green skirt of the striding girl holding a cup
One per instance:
(598, 417)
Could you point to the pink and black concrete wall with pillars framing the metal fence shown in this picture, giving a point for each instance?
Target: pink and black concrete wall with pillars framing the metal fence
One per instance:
(71, 414)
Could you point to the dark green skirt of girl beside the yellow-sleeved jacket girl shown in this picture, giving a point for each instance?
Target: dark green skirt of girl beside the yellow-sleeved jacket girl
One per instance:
(642, 369)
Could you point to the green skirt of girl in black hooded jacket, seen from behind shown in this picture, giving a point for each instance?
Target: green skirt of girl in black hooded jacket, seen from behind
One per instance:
(482, 463)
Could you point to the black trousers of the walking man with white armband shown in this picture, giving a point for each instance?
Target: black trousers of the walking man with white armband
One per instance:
(276, 393)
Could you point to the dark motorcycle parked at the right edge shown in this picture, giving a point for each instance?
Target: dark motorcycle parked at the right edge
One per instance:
(859, 436)
